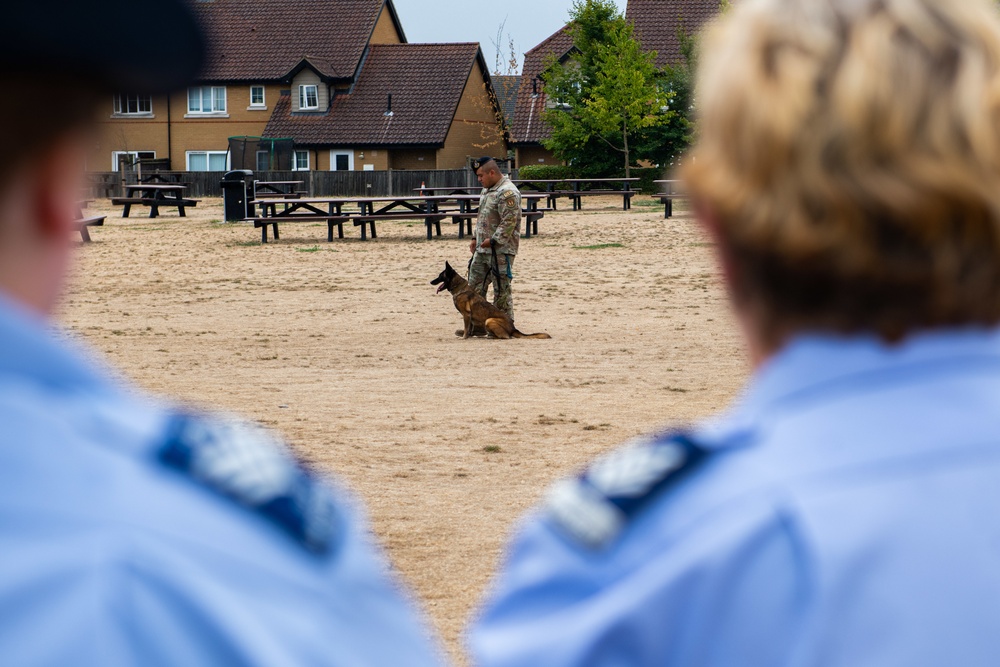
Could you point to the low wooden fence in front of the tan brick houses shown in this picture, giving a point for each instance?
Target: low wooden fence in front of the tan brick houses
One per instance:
(315, 183)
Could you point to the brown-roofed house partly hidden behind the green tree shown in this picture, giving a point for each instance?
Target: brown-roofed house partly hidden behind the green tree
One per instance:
(656, 26)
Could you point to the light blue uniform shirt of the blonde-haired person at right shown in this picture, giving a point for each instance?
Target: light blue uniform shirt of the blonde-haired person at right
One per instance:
(846, 513)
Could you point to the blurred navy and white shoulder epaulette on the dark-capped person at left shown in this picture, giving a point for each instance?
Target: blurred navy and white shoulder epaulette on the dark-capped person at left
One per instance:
(249, 465)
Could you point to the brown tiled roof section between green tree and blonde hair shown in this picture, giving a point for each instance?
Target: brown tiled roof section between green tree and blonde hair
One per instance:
(657, 22)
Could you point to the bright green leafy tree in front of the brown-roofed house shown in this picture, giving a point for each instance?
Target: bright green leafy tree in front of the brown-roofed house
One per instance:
(605, 94)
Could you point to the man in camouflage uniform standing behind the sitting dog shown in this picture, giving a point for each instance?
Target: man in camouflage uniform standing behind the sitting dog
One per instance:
(499, 229)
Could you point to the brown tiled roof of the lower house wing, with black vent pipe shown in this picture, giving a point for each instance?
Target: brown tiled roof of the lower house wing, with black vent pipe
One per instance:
(426, 82)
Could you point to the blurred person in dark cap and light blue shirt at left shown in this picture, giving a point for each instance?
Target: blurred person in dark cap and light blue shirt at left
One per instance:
(133, 532)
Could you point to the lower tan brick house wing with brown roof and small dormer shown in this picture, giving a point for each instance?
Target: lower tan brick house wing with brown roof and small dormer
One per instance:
(415, 106)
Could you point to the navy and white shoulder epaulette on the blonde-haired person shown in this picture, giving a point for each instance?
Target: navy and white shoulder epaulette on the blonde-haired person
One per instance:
(594, 508)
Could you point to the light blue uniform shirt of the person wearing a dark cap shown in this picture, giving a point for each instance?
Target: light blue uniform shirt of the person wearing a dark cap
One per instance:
(110, 554)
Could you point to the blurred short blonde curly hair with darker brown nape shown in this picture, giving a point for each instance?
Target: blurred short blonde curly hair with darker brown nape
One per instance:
(849, 156)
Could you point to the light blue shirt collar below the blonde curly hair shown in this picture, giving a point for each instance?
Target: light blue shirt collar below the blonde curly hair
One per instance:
(813, 364)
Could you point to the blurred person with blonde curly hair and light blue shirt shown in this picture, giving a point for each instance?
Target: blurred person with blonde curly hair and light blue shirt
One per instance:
(844, 511)
